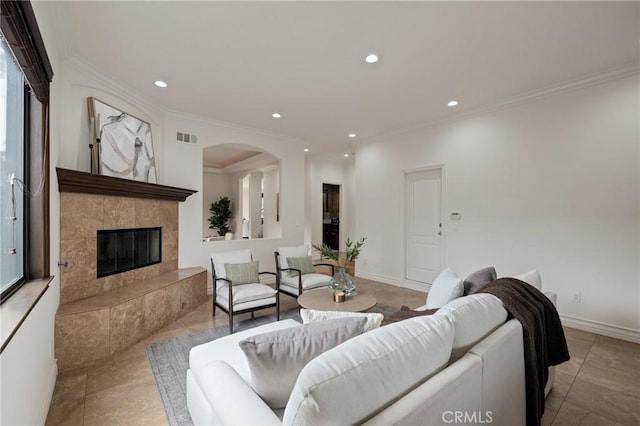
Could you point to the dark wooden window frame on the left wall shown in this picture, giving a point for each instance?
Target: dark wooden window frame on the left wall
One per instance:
(20, 30)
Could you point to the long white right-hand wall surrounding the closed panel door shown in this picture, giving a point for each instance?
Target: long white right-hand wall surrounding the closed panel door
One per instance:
(551, 184)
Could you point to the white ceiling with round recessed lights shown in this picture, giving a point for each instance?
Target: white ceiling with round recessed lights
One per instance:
(241, 61)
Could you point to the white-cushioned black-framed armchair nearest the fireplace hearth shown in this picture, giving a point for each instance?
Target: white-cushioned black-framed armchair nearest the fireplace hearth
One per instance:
(237, 286)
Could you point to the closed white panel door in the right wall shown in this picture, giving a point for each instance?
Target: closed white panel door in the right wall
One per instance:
(423, 225)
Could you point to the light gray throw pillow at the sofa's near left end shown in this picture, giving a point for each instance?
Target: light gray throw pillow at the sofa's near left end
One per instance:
(276, 358)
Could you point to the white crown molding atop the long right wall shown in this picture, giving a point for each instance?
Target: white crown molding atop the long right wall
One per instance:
(521, 99)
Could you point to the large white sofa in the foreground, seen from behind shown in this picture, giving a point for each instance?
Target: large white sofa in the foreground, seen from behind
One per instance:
(463, 364)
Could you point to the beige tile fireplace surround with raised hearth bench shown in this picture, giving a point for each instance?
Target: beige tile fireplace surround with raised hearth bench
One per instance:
(99, 317)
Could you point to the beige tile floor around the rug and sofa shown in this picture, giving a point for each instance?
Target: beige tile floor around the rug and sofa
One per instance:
(600, 385)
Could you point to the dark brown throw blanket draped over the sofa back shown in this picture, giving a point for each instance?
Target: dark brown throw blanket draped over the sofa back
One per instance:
(544, 341)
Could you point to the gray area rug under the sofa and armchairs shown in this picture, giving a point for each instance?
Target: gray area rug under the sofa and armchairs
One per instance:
(170, 360)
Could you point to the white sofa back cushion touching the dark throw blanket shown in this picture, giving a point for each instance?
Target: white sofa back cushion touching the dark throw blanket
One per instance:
(474, 317)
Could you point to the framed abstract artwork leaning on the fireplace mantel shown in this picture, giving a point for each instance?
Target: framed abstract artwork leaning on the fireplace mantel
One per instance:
(123, 144)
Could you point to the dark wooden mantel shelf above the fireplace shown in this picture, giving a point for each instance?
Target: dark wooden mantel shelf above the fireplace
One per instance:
(87, 183)
